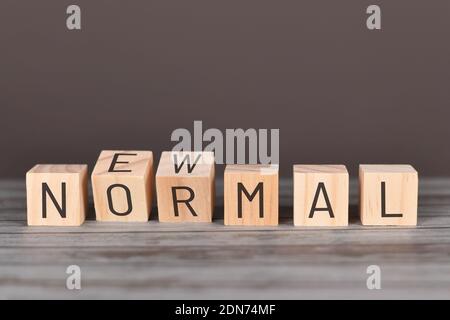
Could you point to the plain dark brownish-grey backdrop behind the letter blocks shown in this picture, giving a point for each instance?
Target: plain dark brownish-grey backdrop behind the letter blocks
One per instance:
(140, 69)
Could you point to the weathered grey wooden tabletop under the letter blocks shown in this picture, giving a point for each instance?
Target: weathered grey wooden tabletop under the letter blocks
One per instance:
(210, 261)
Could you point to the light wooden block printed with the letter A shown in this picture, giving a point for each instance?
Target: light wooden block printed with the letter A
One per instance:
(320, 195)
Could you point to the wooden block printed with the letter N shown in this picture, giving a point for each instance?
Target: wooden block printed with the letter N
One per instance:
(56, 195)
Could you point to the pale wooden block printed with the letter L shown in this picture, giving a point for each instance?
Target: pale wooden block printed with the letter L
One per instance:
(388, 195)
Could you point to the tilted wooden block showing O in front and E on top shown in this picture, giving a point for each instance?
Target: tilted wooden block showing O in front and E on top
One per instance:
(122, 186)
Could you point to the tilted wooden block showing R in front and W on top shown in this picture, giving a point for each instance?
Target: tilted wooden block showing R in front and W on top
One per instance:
(185, 186)
